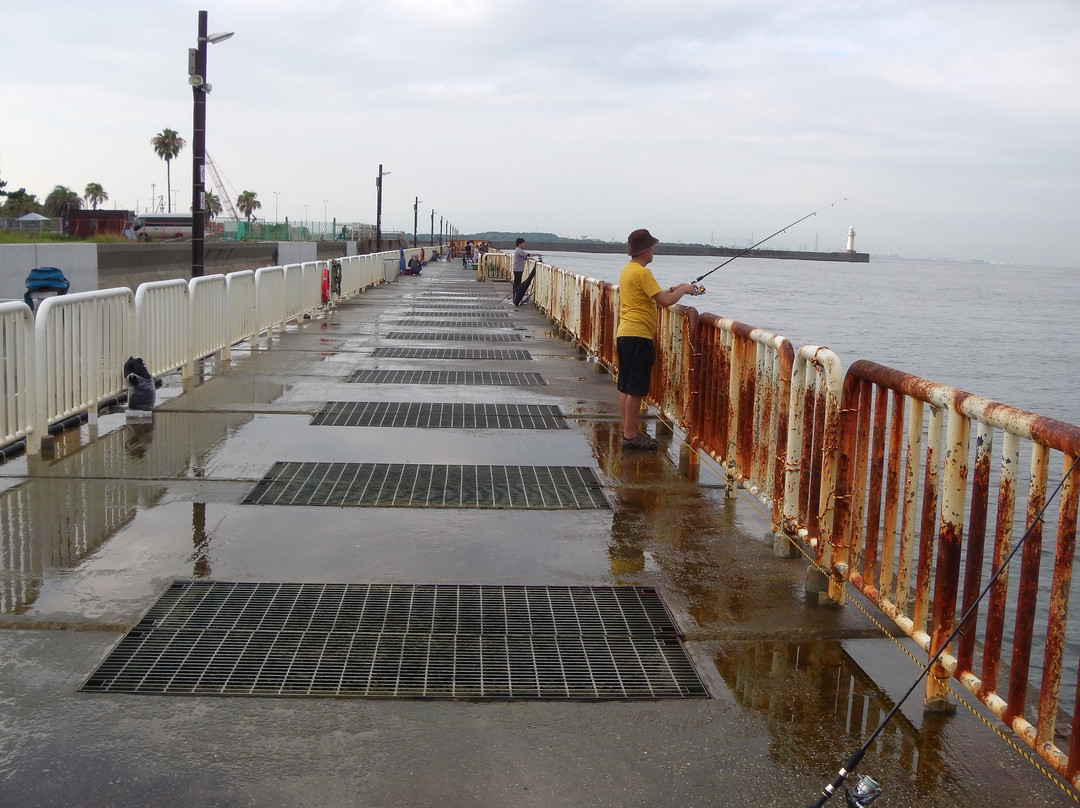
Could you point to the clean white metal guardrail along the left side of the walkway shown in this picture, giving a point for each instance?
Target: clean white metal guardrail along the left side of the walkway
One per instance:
(69, 360)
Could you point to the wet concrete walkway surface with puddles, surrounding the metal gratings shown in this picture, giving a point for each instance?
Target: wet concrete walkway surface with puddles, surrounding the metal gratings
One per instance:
(94, 533)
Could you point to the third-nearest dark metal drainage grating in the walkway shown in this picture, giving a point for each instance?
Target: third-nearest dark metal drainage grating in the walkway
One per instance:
(428, 415)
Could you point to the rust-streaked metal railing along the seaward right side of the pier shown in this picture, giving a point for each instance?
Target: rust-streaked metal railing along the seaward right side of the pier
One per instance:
(887, 482)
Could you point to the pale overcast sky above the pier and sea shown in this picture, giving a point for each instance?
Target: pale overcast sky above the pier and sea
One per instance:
(951, 128)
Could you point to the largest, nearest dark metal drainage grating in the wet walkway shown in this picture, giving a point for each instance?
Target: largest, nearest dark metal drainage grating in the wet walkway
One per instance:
(403, 641)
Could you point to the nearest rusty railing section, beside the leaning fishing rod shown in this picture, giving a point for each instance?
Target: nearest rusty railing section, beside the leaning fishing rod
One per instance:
(916, 496)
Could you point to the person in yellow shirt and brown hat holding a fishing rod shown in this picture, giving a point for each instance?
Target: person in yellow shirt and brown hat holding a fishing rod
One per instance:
(639, 298)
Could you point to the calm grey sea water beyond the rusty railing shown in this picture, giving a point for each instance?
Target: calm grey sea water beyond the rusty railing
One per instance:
(1004, 332)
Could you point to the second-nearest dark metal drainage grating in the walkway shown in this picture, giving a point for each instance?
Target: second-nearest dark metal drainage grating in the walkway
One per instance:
(429, 486)
